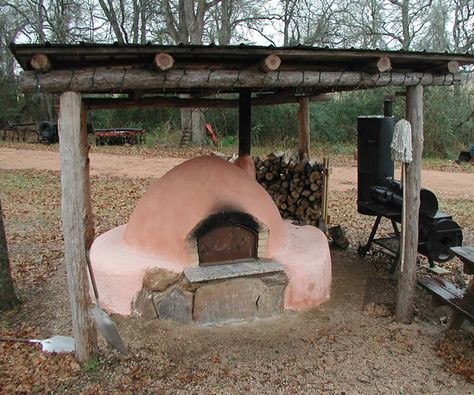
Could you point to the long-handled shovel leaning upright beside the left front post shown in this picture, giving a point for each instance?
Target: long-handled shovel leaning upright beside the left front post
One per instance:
(106, 326)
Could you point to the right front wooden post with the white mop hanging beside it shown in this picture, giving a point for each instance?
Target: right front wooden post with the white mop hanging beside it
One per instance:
(407, 280)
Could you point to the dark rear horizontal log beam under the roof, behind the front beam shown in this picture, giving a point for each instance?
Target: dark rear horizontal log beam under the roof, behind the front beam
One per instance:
(176, 102)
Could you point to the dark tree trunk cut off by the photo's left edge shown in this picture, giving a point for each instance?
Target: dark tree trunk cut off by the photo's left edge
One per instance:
(8, 299)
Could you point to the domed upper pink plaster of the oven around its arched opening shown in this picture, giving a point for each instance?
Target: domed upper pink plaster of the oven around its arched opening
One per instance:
(188, 194)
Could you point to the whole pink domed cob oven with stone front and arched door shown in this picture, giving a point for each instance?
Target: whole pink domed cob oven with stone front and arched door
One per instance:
(206, 245)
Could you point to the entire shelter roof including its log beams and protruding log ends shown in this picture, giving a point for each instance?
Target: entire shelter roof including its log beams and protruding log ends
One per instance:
(280, 74)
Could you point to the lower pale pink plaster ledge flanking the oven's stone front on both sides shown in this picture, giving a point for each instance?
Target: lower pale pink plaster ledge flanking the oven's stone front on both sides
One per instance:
(119, 269)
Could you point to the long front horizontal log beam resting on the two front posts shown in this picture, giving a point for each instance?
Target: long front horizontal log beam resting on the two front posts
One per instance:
(132, 79)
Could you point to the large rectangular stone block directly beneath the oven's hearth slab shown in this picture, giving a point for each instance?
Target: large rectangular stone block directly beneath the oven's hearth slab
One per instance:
(241, 299)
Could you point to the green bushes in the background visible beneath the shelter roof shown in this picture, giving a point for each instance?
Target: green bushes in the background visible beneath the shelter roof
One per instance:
(448, 123)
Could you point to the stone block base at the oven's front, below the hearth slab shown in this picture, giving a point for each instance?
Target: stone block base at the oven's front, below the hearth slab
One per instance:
(217, 301)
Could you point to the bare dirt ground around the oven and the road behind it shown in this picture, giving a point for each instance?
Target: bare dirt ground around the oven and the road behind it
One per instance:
(350, 344)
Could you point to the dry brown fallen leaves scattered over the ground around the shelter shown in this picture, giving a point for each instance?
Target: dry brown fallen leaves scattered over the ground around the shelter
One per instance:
(32, 211)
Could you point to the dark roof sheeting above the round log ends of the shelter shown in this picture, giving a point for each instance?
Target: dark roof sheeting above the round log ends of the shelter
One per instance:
(87, 55)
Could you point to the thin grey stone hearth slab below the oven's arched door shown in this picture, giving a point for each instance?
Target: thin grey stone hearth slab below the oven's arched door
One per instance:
(199, 274)
